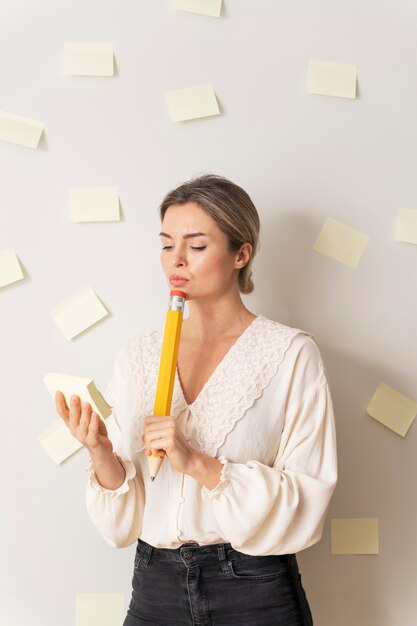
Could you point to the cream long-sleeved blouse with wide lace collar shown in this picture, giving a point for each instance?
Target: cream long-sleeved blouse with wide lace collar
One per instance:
(266, 413)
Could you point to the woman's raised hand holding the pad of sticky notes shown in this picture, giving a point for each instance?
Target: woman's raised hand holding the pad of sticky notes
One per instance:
(84, 424)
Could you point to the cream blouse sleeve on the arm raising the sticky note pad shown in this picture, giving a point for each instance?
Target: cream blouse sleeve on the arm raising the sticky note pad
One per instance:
(117, 514)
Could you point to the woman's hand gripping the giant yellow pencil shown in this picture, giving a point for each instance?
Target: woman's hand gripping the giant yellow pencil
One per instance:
(162, 434)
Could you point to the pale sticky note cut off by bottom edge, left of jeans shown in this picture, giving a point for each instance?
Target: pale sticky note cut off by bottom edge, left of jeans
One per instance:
(99, 609)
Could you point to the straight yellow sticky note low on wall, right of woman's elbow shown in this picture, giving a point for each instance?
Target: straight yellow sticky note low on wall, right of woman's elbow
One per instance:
(355, 536)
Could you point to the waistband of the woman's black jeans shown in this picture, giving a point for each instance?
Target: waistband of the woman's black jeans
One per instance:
(190, 551)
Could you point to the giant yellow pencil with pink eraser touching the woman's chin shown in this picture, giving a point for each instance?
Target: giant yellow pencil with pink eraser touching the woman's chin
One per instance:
(167, 366)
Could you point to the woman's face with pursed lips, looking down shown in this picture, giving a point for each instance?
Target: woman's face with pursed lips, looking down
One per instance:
(195, 255)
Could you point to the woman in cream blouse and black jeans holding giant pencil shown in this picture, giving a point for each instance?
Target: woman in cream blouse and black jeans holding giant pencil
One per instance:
(250, 452)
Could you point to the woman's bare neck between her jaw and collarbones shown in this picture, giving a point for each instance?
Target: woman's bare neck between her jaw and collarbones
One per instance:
(210, 320)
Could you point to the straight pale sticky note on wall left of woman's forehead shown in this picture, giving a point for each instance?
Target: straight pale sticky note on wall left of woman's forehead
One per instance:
(94, 204)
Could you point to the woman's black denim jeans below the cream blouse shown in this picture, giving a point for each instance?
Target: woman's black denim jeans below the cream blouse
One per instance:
(215, 585)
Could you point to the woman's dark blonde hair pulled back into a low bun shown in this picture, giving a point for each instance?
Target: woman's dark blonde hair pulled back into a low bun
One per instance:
(232, 210)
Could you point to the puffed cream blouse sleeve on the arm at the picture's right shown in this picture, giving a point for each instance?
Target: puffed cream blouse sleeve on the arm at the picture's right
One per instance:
(264, 510)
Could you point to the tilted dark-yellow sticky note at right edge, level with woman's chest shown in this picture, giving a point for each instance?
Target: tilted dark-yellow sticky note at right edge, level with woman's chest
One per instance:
(391, 408)
